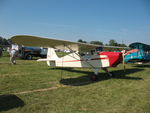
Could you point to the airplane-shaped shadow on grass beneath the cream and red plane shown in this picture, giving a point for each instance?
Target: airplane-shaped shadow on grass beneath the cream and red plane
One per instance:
(84, 80)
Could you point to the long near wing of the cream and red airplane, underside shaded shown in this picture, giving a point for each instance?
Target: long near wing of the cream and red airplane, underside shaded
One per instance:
(27, 40)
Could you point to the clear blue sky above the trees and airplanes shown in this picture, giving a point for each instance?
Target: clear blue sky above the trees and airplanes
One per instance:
(125, 21)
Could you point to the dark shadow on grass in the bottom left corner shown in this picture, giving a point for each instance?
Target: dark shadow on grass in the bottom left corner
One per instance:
(10, 101)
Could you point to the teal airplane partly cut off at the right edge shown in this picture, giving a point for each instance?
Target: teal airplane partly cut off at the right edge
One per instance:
(139, 53)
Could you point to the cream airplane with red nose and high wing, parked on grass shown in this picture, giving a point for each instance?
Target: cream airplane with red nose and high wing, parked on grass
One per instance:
(81, 54)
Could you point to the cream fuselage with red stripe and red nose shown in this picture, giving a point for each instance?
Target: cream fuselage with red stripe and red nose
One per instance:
(95, 60)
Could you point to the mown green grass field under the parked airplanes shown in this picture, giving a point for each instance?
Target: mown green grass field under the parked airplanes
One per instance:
(32, 87)
